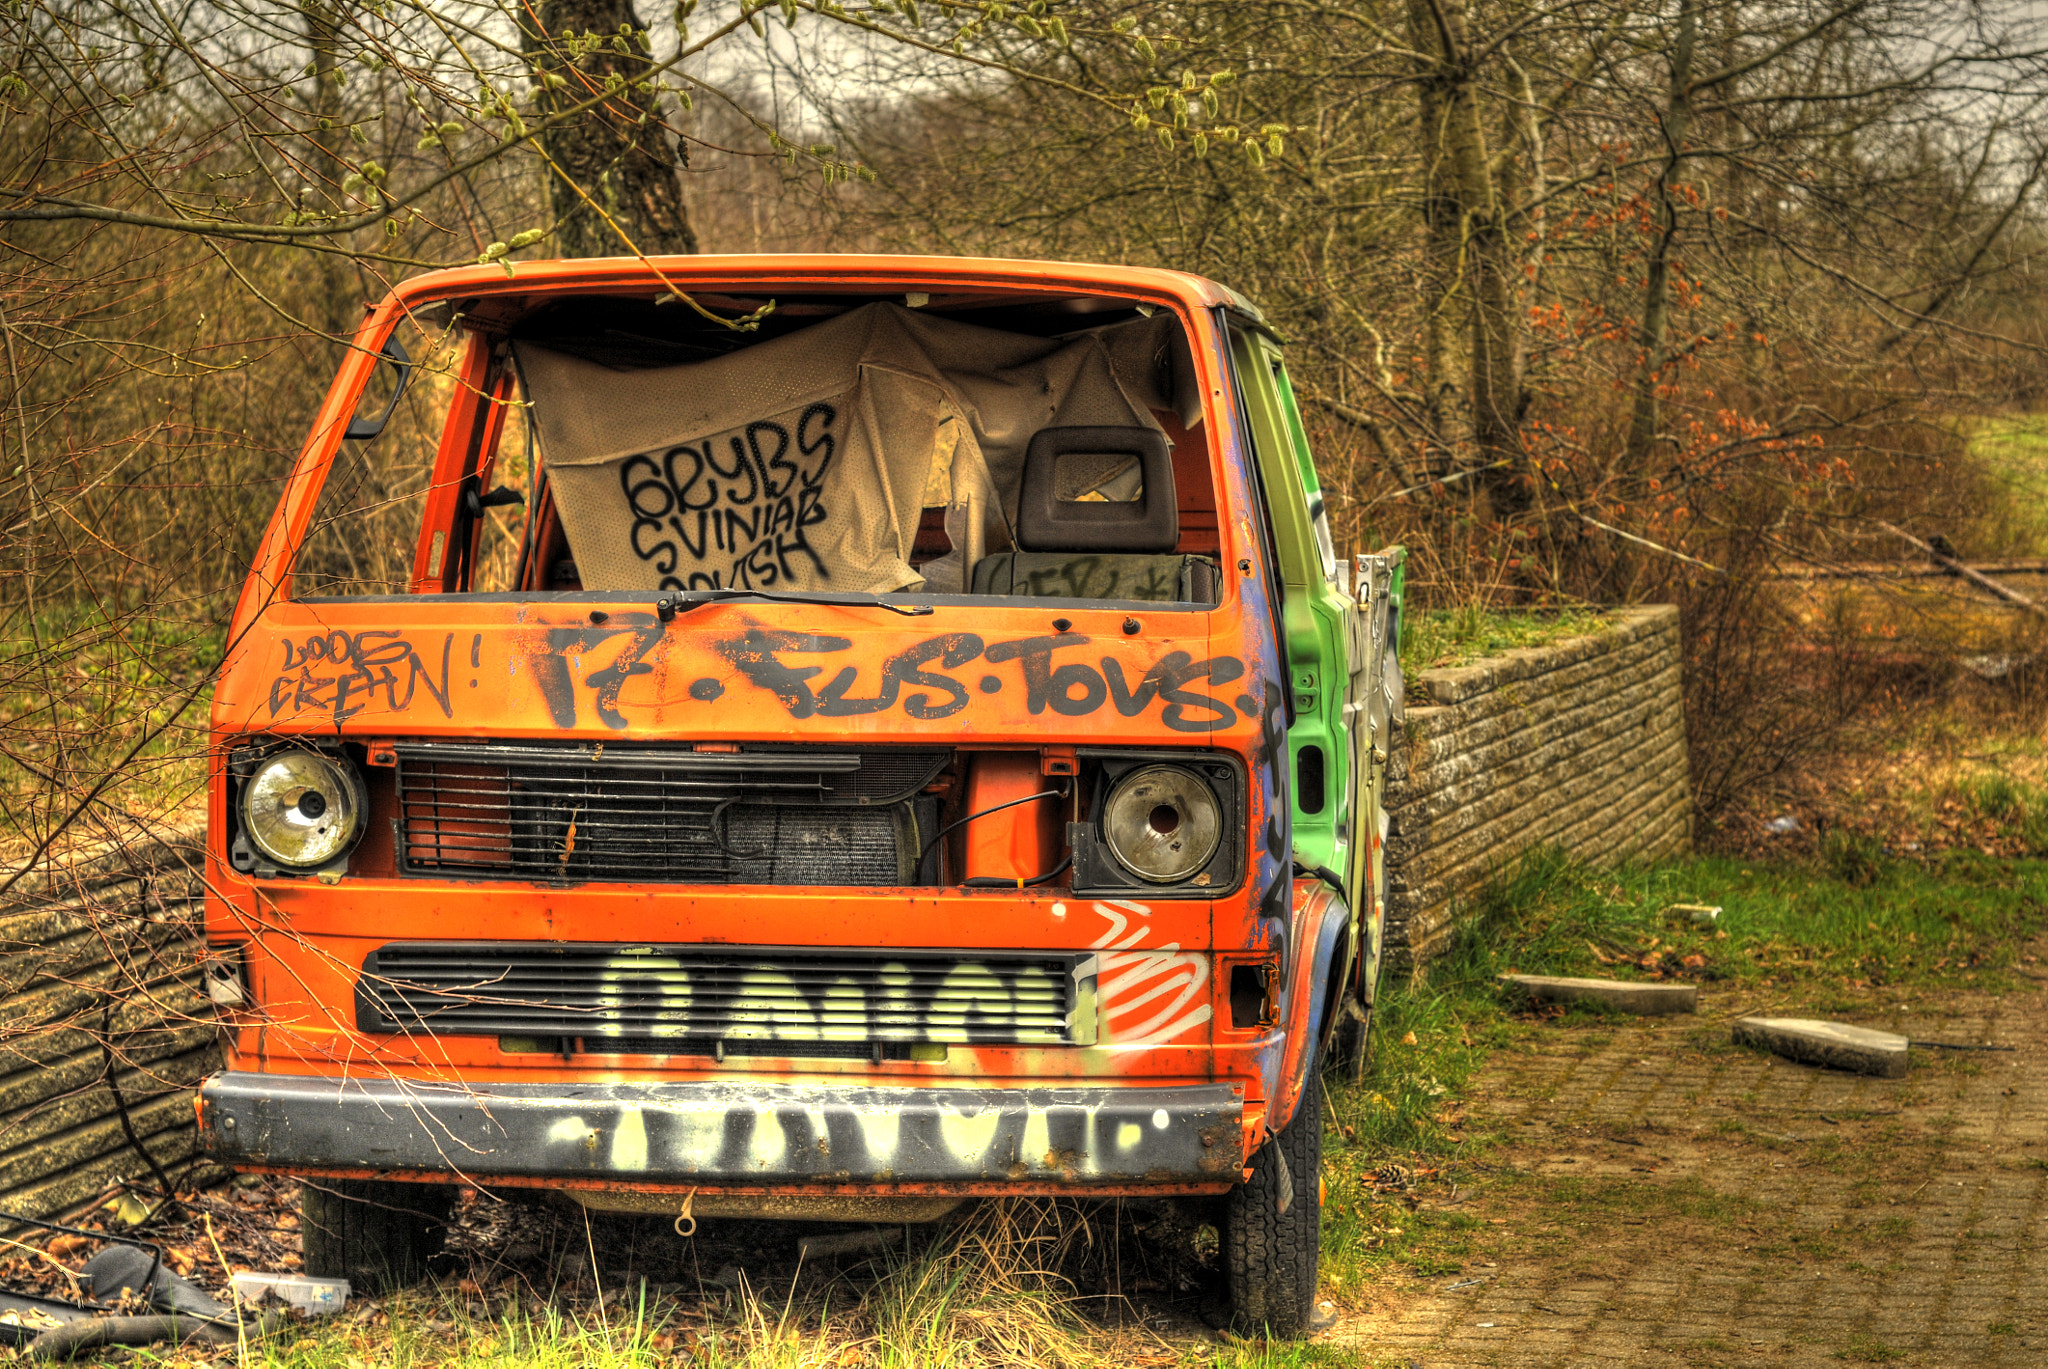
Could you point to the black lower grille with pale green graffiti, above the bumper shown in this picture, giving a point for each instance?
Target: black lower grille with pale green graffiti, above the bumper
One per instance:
(626, 999)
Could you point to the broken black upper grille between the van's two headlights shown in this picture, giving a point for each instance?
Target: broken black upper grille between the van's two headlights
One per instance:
(665, 815)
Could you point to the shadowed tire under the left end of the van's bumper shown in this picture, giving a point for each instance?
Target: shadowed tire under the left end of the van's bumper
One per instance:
(374, 1233)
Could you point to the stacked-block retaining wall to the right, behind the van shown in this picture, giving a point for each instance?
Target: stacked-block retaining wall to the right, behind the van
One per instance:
(1578, 745)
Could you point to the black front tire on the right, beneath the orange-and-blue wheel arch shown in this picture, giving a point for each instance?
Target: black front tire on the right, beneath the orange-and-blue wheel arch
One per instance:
(1273, 1255)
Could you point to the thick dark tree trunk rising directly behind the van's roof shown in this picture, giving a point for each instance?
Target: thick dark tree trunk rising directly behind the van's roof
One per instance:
(613, 183)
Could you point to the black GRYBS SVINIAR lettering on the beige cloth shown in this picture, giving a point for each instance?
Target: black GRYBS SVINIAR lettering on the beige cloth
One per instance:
(749, 520)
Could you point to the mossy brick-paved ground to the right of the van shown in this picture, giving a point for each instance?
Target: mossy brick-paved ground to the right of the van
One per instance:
(1670, 1198)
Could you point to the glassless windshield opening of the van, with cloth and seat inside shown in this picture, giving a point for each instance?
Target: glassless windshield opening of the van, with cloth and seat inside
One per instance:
(1046, 448)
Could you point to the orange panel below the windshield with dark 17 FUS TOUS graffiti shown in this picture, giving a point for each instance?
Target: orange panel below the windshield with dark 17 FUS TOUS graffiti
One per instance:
(605, 667)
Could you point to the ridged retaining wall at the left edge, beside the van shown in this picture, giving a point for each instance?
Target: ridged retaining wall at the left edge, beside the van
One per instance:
(101, 1011)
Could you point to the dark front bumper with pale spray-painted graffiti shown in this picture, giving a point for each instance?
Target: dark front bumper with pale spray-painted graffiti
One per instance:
(742, 1134)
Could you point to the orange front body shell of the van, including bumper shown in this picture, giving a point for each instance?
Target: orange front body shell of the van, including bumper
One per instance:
(1172, 1034)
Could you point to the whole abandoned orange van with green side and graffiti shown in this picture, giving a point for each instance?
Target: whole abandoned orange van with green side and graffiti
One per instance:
(800, 737)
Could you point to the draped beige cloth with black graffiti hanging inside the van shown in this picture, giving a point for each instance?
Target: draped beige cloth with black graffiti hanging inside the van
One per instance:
(804, 462)
